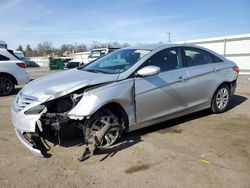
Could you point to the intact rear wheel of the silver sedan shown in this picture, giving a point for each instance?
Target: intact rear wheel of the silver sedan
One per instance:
(221, 99)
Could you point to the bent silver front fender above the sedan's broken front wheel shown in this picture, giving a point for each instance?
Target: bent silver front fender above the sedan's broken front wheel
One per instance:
(121, 92)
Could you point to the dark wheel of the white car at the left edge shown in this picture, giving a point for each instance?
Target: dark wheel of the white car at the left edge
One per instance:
(7, 85)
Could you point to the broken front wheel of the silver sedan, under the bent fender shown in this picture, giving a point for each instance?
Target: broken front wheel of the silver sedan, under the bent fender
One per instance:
(100, 119)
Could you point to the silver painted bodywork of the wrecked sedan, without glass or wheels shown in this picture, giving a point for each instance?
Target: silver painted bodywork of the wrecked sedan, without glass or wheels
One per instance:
(146, 100)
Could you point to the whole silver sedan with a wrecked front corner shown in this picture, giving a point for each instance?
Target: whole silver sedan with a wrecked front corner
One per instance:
(125, 90)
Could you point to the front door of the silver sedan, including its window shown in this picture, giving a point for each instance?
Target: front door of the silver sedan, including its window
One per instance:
(162, 94)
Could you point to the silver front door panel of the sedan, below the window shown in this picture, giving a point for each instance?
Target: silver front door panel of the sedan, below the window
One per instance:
(166, 88)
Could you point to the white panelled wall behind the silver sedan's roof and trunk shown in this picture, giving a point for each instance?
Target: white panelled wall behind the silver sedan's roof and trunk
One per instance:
(234, 47)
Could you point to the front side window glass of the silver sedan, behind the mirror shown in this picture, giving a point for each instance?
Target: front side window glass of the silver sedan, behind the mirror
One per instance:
(167, 59)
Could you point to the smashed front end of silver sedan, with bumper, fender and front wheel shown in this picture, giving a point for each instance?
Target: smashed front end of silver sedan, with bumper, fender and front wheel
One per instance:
(92, 113)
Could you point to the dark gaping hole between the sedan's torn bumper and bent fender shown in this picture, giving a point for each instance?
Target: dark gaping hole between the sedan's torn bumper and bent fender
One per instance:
(54, 120)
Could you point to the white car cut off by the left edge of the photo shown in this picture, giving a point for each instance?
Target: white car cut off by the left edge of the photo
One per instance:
(12, 72)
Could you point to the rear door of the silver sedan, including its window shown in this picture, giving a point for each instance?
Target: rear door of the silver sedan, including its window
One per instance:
(201, 74)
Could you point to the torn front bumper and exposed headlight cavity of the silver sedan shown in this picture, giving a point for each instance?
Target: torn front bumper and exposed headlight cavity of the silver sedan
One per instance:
(35, 120)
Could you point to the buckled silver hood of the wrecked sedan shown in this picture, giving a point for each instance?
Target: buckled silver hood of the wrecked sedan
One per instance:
(59, 84)
